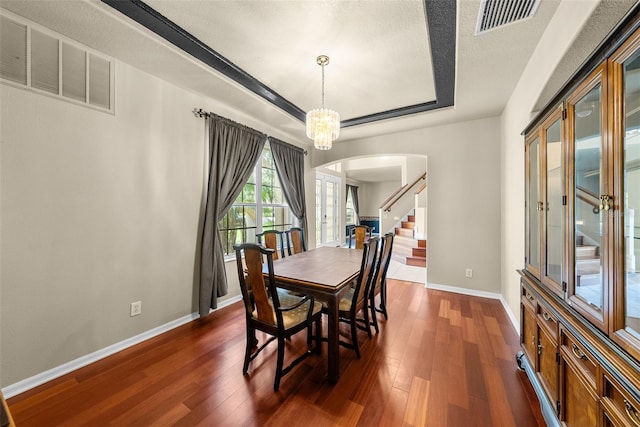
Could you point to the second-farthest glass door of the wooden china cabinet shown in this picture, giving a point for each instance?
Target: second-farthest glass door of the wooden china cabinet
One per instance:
(552, 208)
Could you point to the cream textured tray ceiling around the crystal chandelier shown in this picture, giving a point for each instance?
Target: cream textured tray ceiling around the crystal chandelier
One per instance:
(383, 56)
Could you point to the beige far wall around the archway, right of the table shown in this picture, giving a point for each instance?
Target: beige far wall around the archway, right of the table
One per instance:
(464, 204)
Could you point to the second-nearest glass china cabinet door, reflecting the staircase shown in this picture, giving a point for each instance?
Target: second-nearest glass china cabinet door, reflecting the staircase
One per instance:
(589, 200)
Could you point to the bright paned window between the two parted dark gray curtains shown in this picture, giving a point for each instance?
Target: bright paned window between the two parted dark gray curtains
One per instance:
(260, 206)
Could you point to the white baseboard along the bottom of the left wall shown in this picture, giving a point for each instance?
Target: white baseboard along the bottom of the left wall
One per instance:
(58, 371)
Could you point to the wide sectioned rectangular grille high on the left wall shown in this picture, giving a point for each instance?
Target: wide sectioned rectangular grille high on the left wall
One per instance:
(41, 61)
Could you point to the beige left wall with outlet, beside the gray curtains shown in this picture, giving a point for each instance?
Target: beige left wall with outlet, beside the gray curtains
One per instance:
(98, 211)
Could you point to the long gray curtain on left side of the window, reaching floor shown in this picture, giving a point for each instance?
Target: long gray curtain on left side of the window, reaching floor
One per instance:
(234, 150)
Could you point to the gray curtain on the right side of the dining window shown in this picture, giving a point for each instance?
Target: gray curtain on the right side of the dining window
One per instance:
(289, 161)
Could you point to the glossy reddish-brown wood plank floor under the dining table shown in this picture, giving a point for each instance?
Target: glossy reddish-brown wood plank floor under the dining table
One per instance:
(442, 359)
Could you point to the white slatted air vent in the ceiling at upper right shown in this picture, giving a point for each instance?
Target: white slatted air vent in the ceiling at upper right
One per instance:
(496, 13)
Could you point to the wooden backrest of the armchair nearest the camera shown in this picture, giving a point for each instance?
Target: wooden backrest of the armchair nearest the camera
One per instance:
(255, 290)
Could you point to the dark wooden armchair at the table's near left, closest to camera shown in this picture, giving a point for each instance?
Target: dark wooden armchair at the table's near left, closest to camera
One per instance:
(269, 310)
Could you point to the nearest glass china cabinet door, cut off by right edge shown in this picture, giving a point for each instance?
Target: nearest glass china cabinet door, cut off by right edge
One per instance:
(627, 158)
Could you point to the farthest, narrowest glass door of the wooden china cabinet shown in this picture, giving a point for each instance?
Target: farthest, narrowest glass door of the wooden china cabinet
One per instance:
(534, 206)
